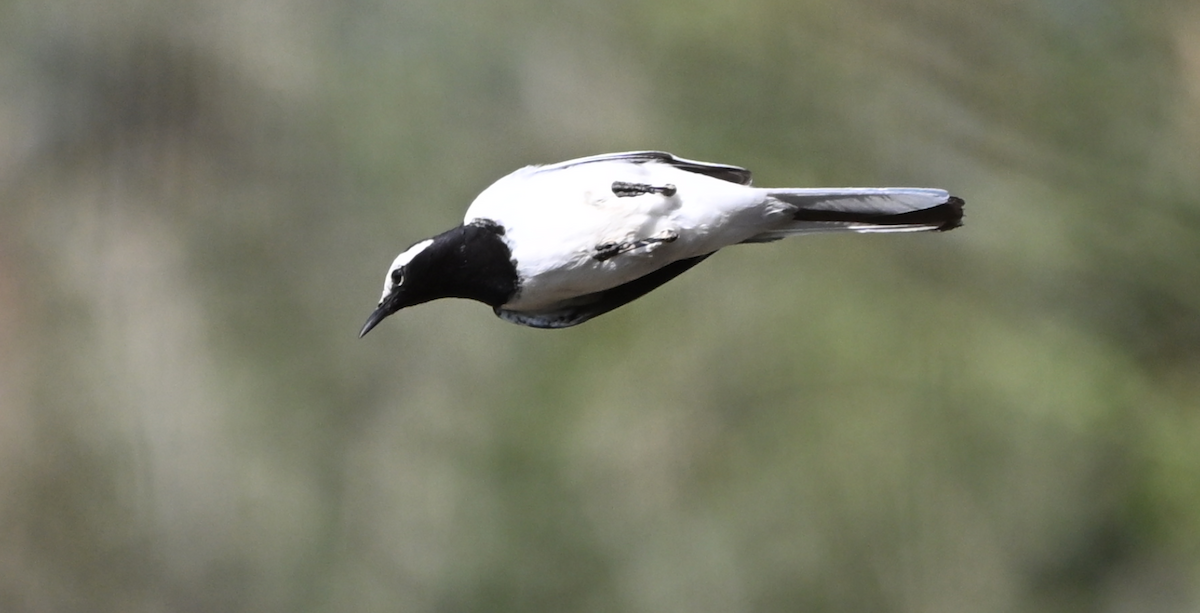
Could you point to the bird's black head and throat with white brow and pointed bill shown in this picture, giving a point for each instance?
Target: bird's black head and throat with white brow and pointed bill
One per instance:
(471, 262)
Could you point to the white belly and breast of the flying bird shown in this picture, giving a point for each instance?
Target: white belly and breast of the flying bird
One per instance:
(556, 219)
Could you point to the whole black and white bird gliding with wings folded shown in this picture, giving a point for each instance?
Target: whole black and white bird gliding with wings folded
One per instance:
(554, 247)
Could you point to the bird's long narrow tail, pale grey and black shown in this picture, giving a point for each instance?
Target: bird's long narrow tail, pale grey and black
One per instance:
(871, 209)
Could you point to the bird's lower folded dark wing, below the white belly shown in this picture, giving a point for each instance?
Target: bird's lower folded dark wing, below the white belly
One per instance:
(578, 310)
